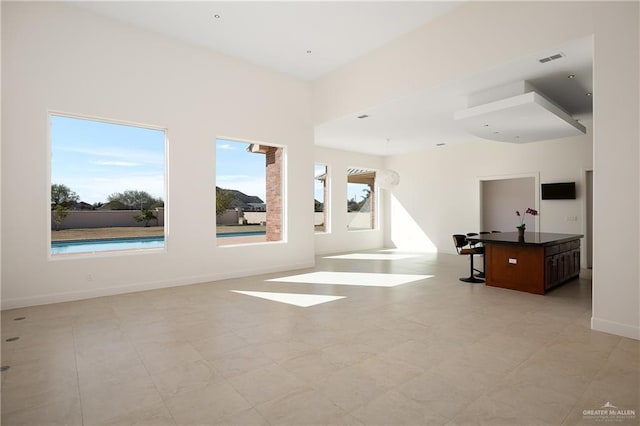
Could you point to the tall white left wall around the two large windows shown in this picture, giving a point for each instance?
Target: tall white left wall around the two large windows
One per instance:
(59, 57)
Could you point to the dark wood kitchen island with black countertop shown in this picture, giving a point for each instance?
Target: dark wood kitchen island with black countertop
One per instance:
(536, 263)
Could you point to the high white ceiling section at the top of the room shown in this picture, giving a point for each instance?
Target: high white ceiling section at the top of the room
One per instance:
(278, 34)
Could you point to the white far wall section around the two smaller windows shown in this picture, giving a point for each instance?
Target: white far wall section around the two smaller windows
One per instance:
(339, 238)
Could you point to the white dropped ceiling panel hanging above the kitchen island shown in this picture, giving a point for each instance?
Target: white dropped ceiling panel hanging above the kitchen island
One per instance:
(525, 116)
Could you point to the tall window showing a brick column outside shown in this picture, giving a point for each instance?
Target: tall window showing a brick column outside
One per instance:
(249, 192)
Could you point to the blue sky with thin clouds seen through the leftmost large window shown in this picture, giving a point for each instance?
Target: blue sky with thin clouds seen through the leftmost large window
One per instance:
(96, 159)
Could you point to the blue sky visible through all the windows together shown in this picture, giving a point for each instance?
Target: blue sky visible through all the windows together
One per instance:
(96, 159)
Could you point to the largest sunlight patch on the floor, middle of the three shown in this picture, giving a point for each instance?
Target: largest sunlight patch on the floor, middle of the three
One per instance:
(353, 278)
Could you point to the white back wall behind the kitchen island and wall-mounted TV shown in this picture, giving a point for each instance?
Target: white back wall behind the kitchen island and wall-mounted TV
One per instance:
(447, 200)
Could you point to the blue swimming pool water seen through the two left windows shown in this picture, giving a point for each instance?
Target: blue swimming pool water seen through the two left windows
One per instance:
(90, 246)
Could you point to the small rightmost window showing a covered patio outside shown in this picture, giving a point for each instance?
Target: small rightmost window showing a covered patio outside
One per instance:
(361, 199)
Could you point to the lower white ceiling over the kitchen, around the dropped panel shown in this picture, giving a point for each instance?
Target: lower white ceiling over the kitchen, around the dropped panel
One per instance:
(426, 119)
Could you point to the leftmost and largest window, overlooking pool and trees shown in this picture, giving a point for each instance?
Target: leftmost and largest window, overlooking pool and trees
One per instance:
(107, 185)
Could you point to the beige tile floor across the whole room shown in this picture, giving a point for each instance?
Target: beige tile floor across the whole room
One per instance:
(428, 352)
